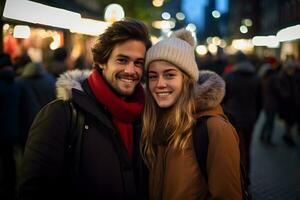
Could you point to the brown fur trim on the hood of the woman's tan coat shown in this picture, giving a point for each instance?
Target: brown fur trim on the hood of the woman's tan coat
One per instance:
(210, 90)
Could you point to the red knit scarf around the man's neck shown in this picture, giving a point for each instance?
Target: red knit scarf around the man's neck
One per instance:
(123, 113)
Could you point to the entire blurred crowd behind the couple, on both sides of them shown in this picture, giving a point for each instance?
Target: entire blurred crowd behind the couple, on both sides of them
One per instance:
(253, 85)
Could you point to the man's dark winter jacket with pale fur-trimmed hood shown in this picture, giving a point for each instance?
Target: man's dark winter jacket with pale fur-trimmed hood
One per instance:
(100, 176)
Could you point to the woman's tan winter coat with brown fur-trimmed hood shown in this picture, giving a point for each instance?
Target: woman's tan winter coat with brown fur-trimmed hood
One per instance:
(180, 174)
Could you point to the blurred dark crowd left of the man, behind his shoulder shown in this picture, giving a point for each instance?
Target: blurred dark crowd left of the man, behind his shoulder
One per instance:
(25, 87)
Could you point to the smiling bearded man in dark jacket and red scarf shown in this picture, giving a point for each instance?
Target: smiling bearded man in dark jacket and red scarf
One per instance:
(111, 99)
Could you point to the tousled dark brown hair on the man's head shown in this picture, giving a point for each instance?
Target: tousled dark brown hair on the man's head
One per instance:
(117, 33)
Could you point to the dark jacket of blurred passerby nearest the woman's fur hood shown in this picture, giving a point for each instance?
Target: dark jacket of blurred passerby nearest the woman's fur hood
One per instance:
(243, 95)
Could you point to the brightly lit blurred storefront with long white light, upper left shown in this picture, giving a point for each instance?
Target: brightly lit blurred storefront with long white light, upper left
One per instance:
(37, 29)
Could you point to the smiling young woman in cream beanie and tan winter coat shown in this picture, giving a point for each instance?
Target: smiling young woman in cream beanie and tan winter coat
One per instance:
(174, 102)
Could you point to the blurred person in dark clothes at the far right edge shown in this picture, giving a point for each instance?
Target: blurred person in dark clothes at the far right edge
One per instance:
(289, 98)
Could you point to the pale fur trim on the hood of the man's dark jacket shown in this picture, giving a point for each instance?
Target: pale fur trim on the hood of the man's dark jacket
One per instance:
(69, 80)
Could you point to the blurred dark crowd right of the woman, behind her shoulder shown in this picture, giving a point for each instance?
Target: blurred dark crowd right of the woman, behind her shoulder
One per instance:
(257, 85)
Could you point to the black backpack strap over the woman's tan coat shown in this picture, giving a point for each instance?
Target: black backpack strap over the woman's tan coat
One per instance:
(200, 141)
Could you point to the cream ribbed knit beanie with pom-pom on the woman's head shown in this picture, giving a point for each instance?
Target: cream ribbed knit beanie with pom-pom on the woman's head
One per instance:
(178, 49)
